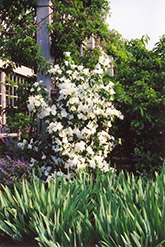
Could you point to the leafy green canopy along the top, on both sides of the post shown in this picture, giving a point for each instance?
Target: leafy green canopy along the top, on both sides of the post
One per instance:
(73, 22)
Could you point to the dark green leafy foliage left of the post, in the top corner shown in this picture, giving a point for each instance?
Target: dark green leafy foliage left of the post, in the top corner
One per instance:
(17, 33)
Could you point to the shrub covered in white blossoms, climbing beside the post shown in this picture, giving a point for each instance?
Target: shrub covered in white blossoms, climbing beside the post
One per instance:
(78, 124)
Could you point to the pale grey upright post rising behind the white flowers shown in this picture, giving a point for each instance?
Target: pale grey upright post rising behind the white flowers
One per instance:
(43, 37)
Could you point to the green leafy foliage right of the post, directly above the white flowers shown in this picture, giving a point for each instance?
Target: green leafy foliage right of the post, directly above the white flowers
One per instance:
(74, 22)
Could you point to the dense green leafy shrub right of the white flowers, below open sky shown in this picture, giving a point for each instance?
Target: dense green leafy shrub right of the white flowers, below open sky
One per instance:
(139, 82)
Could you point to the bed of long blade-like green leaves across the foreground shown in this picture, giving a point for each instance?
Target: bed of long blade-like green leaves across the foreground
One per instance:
(104, 211)
